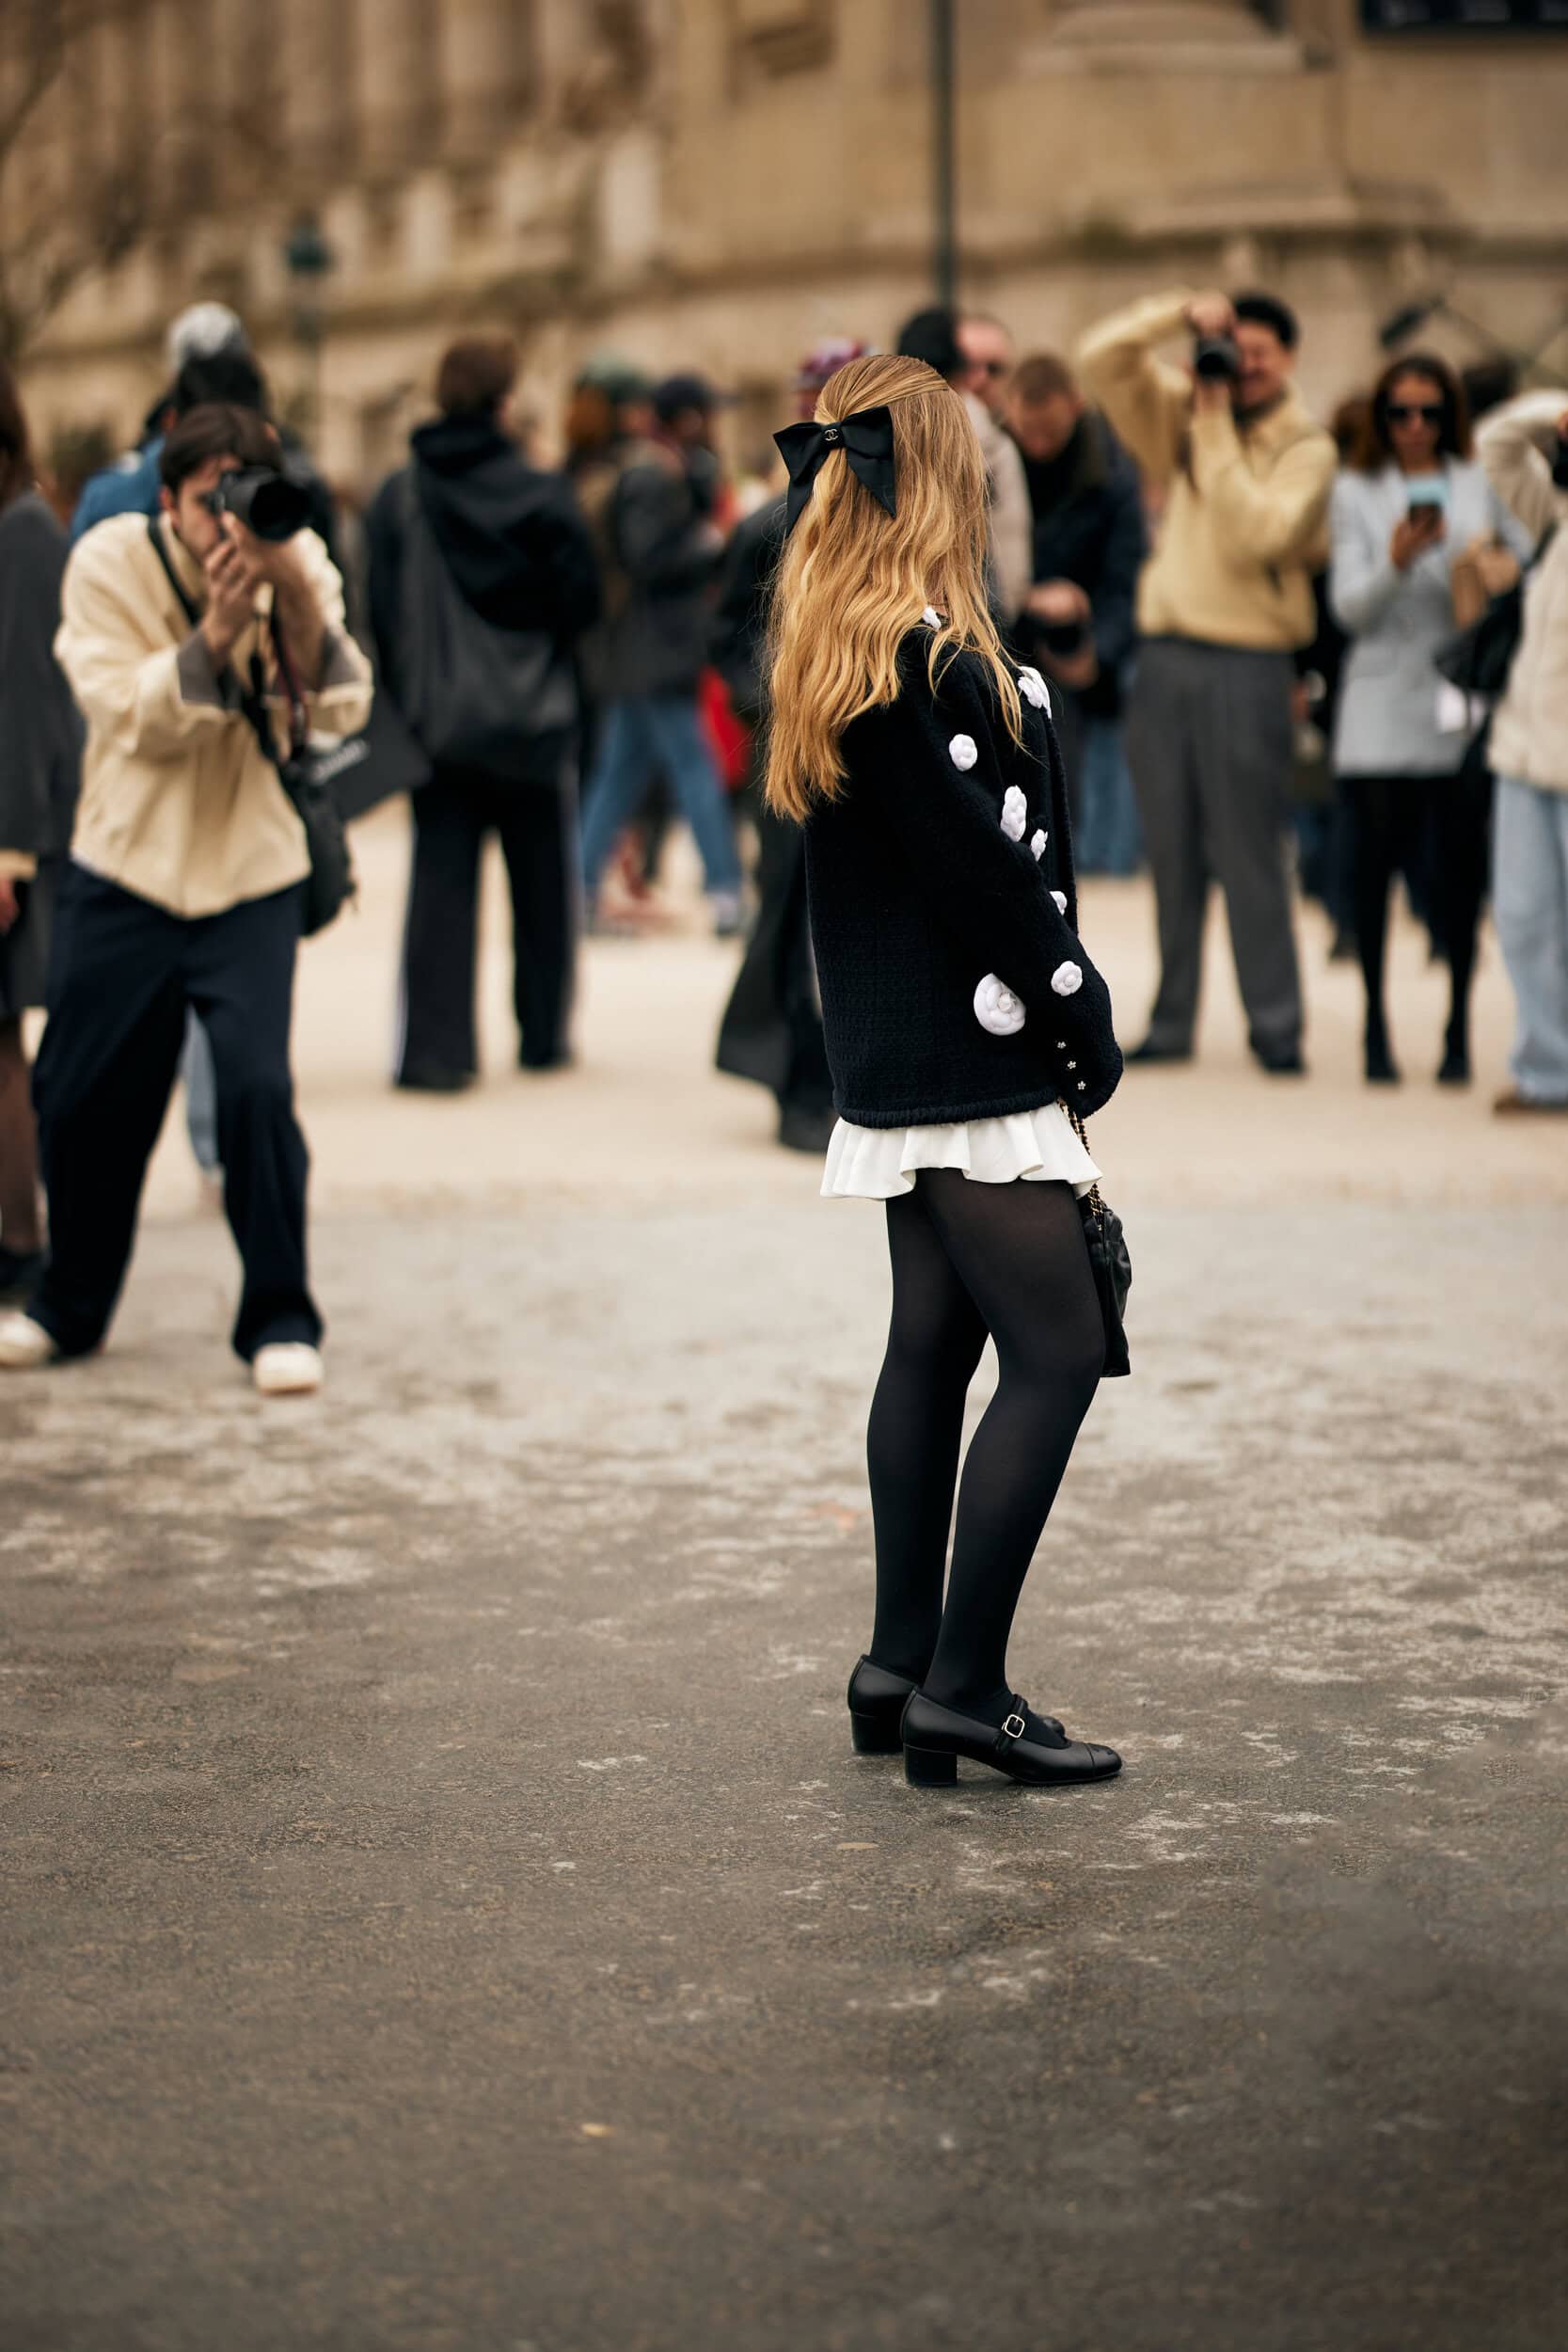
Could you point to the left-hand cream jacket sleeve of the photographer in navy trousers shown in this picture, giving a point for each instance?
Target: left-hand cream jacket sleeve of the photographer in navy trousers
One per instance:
(149, 695)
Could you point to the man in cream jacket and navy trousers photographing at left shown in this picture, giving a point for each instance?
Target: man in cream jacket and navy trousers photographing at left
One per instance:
(185, 886)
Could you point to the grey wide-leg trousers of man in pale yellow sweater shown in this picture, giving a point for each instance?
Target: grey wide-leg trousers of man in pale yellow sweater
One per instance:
(1209, 744)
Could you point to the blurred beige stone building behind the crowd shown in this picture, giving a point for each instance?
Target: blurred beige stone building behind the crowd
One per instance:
(718, 182)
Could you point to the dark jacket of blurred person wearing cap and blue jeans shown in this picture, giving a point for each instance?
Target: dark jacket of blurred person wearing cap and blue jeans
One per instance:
(659, 559)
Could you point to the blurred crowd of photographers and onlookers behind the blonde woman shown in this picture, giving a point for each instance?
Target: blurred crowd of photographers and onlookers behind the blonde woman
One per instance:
(1287, 657)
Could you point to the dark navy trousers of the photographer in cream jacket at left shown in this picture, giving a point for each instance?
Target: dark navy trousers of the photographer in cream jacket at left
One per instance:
(123, 975)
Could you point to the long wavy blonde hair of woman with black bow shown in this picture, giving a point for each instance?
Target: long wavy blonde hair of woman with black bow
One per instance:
(855, 580)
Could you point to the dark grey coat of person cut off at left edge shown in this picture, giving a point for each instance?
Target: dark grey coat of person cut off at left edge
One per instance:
(41, 735)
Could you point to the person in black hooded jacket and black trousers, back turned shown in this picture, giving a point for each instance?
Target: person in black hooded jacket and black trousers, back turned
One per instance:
(523, 559)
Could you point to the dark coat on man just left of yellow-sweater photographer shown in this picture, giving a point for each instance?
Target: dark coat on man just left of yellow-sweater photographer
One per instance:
(1090, 530)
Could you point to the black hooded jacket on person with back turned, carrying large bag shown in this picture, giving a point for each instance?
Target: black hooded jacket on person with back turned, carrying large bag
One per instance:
(511, 535)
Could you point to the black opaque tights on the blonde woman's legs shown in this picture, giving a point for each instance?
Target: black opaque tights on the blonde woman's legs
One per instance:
(972, 1259)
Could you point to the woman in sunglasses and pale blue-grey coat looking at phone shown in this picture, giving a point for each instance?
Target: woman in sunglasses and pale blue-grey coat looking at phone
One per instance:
(1407, 507)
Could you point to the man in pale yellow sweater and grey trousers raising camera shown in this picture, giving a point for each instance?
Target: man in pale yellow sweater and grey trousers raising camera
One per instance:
(1224, 603)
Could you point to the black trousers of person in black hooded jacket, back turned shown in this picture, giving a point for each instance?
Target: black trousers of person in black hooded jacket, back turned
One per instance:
(453, 817)
